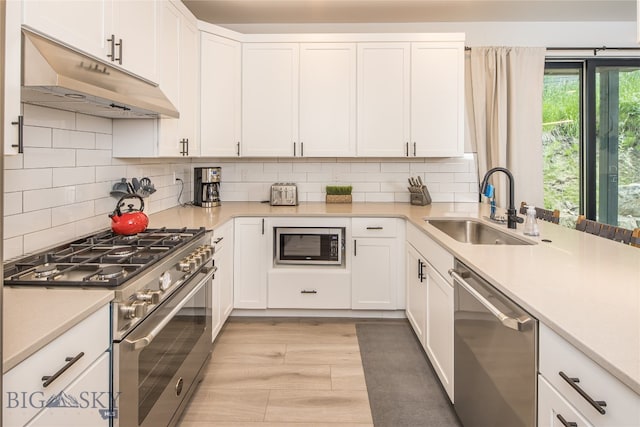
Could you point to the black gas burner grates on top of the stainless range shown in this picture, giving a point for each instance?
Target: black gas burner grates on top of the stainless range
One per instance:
(104, 259)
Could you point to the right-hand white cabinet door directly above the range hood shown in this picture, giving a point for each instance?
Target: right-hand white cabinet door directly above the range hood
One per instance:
(135, 23)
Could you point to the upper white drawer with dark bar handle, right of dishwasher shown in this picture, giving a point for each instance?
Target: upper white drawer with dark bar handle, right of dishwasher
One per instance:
(557, 355)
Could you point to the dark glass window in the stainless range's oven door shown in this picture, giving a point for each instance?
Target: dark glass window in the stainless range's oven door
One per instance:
(161, 359)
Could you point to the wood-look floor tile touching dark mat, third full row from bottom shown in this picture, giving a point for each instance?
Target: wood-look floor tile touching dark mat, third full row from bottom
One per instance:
(322, 354)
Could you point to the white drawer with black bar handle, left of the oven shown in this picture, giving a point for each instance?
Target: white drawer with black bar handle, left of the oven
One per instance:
(23, 389)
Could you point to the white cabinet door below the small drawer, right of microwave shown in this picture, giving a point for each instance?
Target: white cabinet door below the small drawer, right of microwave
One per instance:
(373, 269)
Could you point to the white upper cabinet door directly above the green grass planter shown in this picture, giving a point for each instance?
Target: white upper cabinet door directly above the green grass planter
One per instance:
(327, 99)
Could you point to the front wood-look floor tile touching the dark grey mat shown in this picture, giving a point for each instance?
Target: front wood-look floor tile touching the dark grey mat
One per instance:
(318, 406)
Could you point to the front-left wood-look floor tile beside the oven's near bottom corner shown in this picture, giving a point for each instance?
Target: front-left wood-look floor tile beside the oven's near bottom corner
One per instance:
(210, 404)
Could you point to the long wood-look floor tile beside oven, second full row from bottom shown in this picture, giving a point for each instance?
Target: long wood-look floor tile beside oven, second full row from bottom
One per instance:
(261, 377)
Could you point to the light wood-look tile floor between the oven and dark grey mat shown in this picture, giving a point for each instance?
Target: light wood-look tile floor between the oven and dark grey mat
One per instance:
(282, 372)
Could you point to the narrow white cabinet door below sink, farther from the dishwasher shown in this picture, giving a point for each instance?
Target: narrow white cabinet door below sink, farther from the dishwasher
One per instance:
(416, 292)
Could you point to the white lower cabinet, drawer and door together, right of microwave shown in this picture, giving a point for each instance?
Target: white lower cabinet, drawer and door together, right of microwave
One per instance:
(376, 261)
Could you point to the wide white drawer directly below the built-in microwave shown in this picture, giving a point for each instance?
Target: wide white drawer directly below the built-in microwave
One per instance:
(311, 291)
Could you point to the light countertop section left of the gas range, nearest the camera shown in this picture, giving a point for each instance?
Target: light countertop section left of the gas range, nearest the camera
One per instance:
(33, 317)
